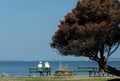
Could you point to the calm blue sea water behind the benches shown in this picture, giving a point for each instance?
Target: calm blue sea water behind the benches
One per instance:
(21, 68)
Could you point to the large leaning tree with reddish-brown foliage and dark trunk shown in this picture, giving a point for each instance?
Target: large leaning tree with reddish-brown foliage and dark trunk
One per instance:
(92, 30)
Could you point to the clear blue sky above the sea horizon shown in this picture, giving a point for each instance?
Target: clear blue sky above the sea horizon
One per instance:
(27, 26)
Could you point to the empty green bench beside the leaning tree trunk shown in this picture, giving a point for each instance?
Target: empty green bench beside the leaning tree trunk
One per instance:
(90, 70)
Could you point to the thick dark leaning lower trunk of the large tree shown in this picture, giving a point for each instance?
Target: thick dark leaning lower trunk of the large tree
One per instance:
(109, 69)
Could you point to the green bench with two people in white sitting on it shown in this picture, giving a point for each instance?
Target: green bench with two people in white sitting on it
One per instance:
(40, 70)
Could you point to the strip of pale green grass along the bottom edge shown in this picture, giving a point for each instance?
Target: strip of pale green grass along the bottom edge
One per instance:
(57, 78)
